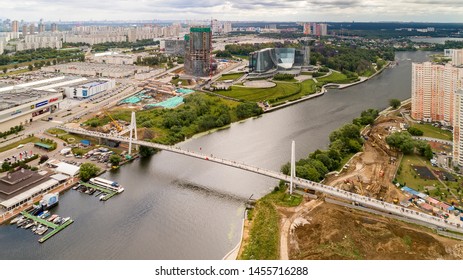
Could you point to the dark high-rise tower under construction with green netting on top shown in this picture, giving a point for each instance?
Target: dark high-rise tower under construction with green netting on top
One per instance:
(198, 46)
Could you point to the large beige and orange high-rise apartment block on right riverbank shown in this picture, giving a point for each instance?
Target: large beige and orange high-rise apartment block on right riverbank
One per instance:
(433, 91)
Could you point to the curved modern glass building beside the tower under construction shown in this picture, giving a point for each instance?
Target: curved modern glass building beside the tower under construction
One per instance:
(277, 59)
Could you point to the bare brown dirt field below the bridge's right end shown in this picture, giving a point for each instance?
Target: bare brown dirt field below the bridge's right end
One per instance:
(334, 232)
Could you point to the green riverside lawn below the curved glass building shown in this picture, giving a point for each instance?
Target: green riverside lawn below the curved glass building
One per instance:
(281, 92)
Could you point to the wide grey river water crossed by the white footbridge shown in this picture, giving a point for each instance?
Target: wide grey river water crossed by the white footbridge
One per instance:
(176, 207)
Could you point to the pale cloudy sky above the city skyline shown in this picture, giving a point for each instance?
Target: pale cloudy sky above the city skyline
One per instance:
(258, 10)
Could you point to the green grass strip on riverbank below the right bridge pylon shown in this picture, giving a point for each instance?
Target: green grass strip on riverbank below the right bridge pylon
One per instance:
(264, 234)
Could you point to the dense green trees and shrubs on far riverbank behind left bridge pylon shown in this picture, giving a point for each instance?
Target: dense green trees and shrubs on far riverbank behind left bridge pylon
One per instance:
(200, 112)
